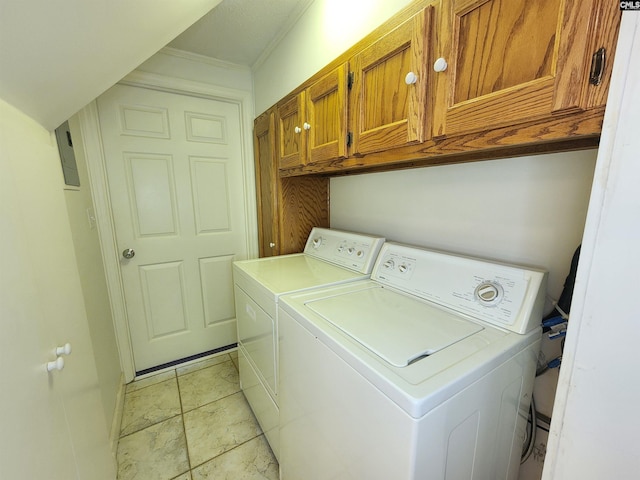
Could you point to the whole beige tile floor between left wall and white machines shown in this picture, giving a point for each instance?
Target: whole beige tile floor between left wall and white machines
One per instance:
(192, 423)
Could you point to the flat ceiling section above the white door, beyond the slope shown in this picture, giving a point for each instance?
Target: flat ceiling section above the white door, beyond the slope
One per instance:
(239, 31)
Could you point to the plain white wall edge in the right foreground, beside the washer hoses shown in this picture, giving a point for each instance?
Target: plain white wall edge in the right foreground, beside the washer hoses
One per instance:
(594, 433)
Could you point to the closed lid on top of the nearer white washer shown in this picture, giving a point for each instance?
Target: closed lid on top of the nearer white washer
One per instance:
(398, 328)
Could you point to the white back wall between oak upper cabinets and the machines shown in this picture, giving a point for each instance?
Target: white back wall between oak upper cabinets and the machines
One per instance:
(528, 210)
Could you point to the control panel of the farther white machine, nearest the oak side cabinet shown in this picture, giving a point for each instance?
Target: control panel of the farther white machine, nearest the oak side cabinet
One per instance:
(352, 250)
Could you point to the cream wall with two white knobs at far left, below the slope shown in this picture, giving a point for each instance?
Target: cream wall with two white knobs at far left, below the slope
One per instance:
(42, 307)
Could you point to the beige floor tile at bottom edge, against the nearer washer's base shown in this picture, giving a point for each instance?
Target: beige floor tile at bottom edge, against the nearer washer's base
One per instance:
(249, 461)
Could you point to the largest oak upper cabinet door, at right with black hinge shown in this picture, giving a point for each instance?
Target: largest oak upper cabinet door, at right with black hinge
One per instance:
(511, 61)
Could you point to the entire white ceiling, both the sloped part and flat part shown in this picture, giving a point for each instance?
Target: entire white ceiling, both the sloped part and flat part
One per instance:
(57, 56)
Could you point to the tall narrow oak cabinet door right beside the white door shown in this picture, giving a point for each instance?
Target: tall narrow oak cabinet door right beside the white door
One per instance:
(267, 183)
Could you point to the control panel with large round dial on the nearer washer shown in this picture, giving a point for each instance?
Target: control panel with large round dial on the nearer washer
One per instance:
(505, 295)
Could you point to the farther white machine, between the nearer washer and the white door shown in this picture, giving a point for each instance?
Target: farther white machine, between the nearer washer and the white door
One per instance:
(330, 257)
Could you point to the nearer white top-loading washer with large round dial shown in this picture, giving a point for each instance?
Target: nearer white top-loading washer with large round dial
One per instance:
(425, 371)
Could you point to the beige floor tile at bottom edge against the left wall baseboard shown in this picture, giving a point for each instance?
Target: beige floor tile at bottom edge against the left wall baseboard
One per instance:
(155, 453)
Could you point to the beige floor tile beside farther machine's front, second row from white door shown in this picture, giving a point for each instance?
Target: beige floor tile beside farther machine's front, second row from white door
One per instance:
(208, 385)
